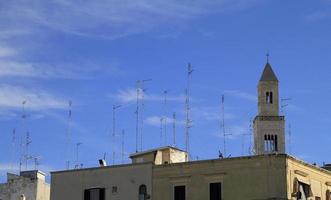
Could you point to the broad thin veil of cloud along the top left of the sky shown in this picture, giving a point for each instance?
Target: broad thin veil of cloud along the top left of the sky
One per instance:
(117, 18)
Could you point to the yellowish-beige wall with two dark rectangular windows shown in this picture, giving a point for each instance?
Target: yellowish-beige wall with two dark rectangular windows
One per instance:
(258, 177)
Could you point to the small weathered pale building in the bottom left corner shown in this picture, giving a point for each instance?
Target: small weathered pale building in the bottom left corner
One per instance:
(29, 185)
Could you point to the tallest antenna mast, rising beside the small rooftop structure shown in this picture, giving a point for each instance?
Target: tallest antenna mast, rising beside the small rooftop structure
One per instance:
(188, 123)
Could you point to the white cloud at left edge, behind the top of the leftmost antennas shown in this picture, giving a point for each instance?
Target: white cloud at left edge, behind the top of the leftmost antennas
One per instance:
(13, 96)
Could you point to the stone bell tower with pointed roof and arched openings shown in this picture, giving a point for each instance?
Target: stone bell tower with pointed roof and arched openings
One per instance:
(269, 127)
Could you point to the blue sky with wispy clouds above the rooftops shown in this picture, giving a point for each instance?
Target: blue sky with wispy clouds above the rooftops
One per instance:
(92, 53)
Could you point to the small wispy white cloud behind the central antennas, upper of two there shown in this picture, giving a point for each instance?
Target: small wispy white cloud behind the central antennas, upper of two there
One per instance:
(130, 95)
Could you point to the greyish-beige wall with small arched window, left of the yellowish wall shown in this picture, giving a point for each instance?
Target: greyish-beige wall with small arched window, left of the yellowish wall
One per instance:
(70, 185)
